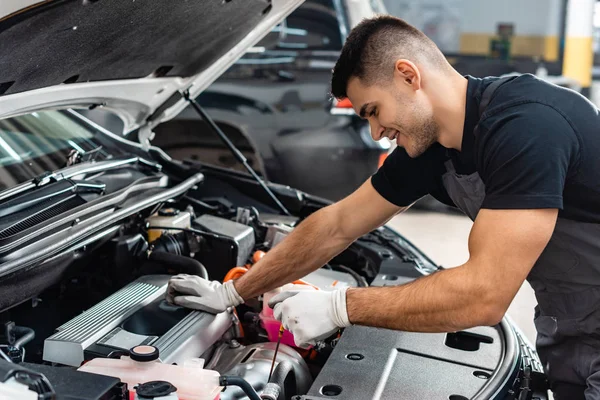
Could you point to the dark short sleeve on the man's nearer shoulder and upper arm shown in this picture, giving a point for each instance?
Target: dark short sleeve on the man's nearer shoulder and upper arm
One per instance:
(525, 157)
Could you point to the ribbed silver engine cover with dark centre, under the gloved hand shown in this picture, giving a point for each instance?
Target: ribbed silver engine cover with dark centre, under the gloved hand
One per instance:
(135, 315)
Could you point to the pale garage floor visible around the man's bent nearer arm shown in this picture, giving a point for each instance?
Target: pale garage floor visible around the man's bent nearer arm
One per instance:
(443, 237)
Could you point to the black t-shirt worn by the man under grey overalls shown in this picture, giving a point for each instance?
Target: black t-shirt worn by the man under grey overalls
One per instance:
(538, 146)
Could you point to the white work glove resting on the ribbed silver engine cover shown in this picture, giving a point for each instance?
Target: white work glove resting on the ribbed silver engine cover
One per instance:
(194, 292)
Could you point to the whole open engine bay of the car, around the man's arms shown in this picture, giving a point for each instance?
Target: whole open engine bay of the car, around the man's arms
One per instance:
(94, 310)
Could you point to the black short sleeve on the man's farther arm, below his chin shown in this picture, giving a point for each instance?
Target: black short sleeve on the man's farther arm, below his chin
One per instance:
(402, 180)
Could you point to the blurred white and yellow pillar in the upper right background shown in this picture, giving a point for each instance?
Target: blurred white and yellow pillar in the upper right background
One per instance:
(579, 53)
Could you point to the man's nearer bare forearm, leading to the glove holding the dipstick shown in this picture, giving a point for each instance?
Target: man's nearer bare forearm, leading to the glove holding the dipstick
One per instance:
(446, 301)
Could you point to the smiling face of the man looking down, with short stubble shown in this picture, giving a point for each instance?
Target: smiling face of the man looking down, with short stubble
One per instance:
(396, 112)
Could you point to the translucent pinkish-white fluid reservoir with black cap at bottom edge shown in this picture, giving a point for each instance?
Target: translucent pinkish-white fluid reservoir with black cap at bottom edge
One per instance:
(192, 382)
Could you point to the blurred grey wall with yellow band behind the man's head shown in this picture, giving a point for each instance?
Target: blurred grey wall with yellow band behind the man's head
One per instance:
(466, 26)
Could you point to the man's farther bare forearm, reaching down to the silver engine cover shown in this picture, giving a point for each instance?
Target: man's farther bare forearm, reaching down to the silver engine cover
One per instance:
(312, 244)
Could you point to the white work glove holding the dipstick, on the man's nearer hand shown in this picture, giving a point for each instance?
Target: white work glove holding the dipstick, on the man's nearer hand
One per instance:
(311, 315)
